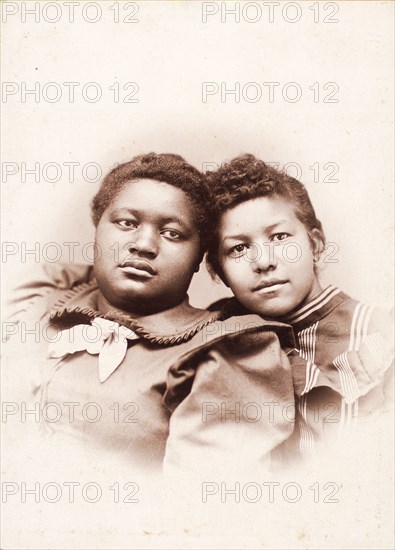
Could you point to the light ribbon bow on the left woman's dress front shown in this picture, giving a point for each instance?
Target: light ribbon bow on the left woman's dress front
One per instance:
(103, 337)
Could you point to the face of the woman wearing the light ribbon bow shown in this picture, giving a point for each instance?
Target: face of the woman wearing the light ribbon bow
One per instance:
(147, 247)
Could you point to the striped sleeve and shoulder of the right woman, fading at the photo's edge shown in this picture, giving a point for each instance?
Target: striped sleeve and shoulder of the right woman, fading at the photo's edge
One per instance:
(354, 342)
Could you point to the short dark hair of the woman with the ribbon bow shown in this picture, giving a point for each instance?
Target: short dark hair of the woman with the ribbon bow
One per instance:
(167, 168)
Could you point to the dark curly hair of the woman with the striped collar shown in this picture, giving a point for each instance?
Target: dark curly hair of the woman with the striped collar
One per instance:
(245, 178)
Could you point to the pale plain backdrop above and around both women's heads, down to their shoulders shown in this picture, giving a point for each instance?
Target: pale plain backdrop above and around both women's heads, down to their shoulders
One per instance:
(170, 52)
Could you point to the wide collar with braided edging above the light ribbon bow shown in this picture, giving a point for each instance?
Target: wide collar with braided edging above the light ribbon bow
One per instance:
(172, 326)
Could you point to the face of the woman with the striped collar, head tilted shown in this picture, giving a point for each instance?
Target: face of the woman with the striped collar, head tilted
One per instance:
(266, 256)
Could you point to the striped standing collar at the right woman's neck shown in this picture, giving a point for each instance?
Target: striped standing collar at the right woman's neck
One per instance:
(302, 317)
